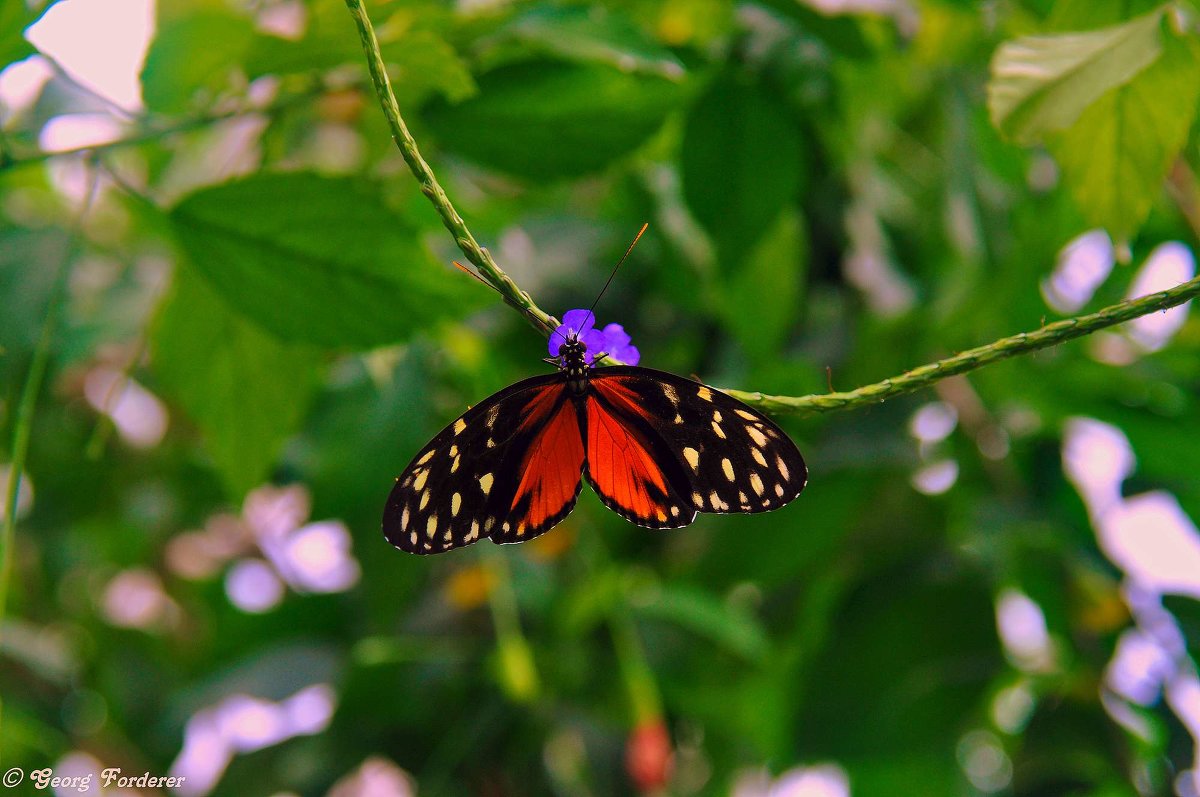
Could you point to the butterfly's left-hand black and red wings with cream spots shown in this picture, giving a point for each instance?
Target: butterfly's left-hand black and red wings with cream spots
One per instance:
(502, 470)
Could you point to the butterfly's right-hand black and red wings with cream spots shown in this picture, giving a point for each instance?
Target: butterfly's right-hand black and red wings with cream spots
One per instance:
(712, 453)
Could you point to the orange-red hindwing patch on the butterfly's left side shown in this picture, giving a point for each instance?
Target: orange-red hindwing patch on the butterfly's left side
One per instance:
(550, 472)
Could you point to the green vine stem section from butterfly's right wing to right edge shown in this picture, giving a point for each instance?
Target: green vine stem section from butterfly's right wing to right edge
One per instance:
(1060, 332)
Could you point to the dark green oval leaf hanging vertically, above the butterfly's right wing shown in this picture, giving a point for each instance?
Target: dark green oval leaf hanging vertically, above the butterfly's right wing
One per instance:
(742, 161)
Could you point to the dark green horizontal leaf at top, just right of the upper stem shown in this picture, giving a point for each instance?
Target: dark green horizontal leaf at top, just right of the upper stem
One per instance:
(553, 119)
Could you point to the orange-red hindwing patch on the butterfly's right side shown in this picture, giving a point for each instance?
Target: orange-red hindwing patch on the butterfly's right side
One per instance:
(626, 476)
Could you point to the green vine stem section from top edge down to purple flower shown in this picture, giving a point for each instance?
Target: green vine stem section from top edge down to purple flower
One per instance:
(430, 187)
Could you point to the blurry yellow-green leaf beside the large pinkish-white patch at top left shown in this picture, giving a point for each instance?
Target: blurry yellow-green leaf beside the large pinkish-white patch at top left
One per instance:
(190, 53)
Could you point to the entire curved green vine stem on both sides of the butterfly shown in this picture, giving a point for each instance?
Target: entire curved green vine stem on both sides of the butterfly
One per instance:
(921, 377)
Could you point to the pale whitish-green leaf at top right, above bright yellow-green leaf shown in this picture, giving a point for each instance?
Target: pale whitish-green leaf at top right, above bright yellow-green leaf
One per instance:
(1041, 85)
